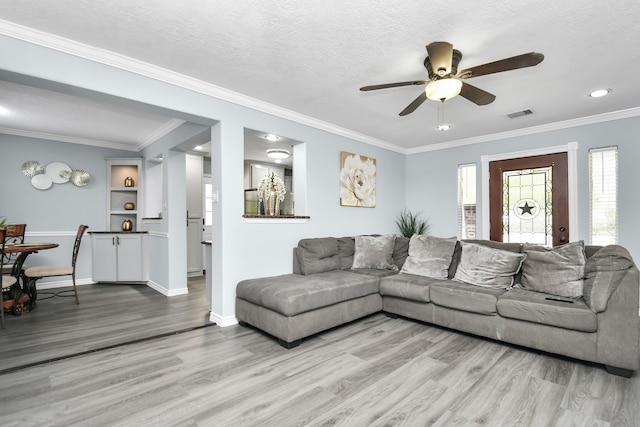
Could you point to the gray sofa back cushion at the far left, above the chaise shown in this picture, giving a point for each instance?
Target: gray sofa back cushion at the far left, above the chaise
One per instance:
(318, 255)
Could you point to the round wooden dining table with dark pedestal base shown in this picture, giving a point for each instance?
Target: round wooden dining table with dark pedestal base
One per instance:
(23, 297)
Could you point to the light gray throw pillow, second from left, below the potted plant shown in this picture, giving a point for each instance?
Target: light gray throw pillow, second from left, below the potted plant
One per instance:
(429, 256)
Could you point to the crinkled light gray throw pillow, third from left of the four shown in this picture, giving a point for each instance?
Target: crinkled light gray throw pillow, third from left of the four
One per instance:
(483, 266)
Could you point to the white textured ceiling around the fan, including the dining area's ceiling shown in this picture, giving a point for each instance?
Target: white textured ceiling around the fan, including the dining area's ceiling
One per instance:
(309, 59)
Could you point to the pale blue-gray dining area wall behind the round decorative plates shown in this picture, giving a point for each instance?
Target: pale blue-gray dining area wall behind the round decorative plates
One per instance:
(56, 213)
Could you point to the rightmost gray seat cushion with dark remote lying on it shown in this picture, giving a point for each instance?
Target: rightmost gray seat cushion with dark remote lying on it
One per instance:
(535, 307)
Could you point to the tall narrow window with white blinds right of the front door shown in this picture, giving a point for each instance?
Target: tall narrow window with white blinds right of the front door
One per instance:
(603, 195)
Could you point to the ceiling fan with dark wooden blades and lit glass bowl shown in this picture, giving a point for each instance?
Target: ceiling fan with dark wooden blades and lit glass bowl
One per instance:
(445, 82)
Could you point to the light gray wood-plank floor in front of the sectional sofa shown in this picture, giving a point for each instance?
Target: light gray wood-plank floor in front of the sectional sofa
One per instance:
(376, 371)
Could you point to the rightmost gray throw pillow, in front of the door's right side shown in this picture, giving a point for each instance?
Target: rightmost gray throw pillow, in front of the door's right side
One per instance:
(556, 271)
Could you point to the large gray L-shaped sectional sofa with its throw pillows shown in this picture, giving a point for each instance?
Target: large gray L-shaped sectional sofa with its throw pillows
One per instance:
(577, 301)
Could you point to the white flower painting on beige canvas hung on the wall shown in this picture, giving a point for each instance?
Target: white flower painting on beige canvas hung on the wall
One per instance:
(357, 180)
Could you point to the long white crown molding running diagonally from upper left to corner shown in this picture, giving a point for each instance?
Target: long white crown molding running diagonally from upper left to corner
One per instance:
(125, 63)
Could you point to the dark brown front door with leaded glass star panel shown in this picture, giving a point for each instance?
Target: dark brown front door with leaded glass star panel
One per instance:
(529, 200)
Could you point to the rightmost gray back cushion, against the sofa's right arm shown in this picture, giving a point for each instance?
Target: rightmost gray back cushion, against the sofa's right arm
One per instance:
(603, 272)
